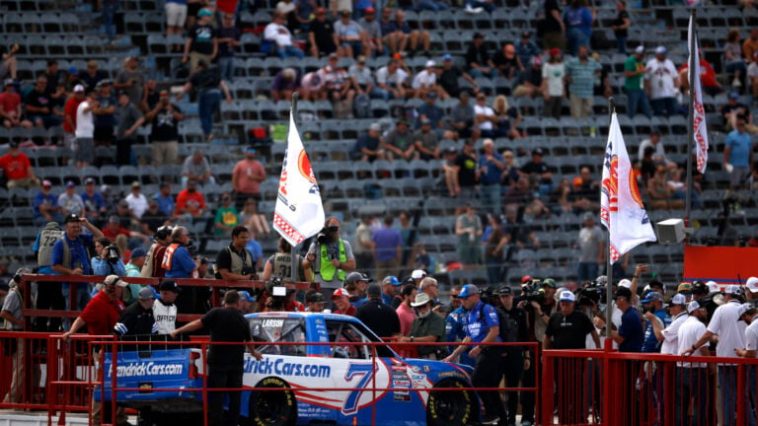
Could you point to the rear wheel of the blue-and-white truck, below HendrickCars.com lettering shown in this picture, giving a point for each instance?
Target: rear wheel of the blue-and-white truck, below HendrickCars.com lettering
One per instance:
(273, 407)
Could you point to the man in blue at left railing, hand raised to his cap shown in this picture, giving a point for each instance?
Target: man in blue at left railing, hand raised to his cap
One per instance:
(70, 257)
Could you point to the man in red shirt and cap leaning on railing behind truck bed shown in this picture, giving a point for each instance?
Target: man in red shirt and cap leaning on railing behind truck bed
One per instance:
(103, 311)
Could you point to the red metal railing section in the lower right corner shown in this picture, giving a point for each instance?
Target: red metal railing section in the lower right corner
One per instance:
(614, 388)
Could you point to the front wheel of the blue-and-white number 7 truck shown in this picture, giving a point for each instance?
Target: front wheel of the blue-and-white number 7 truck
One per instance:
(445, 408)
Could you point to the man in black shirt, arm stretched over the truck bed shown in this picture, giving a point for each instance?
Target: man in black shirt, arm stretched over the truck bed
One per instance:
(225, 362)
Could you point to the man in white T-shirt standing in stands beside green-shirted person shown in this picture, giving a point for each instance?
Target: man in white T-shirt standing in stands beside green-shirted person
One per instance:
(664, 81)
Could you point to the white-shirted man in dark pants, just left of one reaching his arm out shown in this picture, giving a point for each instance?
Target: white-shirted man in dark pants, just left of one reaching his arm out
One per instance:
(692, 377)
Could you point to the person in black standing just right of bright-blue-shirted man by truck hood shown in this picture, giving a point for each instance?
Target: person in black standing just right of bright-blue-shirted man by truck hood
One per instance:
(518, 359)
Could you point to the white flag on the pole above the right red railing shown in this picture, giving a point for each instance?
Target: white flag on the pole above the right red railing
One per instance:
(621, 208)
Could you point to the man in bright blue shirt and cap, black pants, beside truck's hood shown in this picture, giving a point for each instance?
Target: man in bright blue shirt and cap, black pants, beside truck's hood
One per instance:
(482, 325)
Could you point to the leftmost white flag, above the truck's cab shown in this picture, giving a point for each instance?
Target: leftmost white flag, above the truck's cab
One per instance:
(299, 213)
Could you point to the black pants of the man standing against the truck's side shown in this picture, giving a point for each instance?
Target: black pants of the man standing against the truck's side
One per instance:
(224, 376)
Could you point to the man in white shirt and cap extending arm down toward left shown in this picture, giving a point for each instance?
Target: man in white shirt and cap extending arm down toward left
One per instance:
(731, 335)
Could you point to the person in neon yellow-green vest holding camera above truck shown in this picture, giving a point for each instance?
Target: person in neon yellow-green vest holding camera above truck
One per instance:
(330, 257)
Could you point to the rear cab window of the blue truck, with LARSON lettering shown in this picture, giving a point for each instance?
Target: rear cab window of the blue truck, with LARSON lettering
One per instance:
(276, 330)
